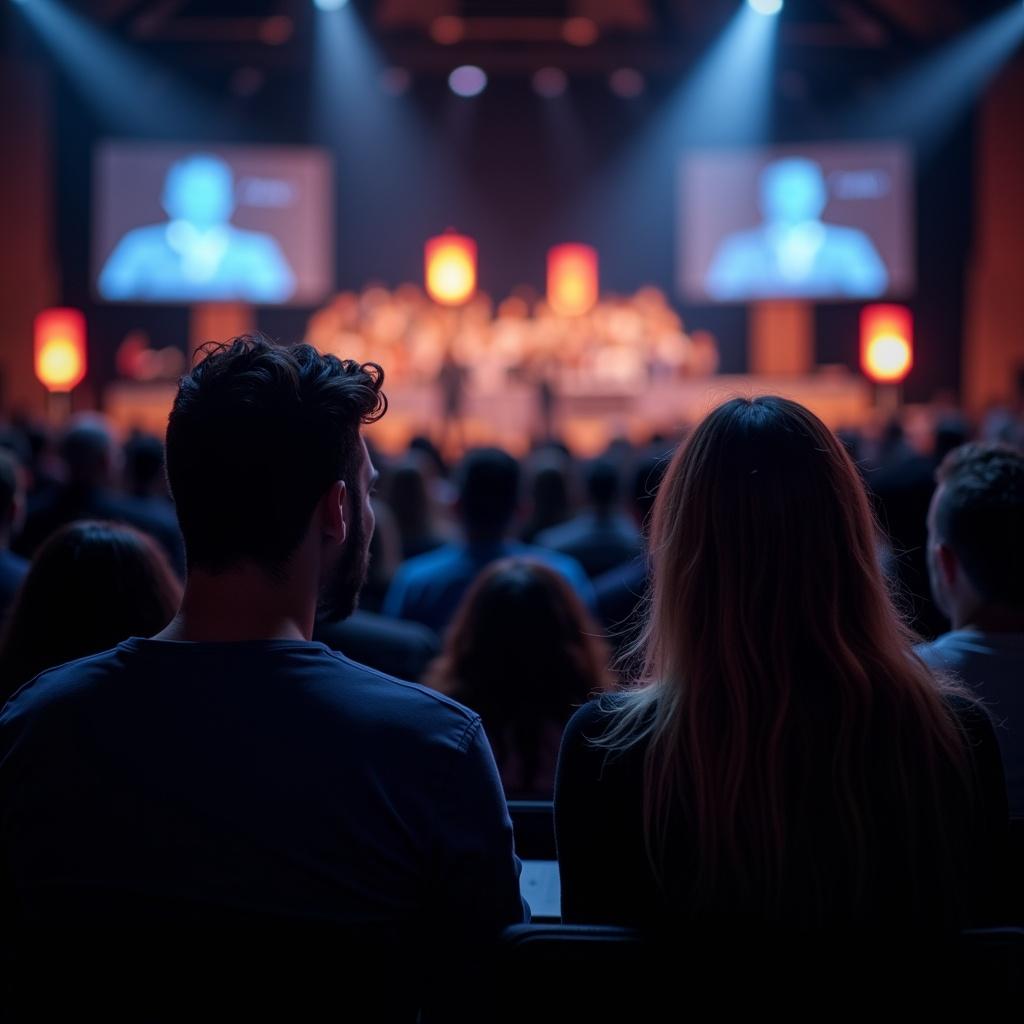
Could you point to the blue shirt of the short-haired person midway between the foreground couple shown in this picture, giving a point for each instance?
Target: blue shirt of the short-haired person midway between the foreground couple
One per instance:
(430, 589)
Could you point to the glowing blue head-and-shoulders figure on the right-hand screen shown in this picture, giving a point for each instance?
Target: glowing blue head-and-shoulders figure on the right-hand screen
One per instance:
(794, 253)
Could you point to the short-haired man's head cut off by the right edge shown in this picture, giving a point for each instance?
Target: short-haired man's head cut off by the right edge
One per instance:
(979, 514)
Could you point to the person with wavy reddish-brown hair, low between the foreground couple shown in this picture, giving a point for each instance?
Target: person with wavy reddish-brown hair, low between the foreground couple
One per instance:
(524, 653)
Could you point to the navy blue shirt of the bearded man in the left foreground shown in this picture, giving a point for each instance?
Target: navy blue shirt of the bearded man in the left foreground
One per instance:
(273, 778)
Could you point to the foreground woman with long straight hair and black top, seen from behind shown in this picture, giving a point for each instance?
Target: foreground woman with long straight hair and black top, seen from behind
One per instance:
(788, 765)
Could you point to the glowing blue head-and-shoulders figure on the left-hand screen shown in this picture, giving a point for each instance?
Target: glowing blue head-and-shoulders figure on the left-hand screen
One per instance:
(198, 254)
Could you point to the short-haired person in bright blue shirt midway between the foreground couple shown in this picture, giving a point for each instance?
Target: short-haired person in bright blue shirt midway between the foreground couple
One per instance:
(430, 589)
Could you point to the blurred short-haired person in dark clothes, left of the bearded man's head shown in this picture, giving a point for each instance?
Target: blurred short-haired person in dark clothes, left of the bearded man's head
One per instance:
(90, 455)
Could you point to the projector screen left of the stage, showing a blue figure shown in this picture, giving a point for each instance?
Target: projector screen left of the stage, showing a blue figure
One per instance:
(212, 224)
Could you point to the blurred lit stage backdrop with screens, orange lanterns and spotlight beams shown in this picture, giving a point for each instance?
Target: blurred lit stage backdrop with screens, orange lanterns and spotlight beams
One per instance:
(580, 218)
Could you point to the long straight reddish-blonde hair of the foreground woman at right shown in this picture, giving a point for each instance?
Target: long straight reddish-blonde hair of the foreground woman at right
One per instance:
(784, 707)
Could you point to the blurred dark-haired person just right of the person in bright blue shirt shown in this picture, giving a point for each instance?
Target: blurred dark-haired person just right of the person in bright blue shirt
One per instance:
(602, 538)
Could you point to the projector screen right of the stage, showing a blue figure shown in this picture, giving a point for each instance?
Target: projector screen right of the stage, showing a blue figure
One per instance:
(822, 222)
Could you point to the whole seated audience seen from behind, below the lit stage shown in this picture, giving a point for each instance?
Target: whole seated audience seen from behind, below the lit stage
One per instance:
(767, 674)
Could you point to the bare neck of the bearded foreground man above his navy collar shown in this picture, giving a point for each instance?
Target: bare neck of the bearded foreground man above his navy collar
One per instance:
(242, 605)
